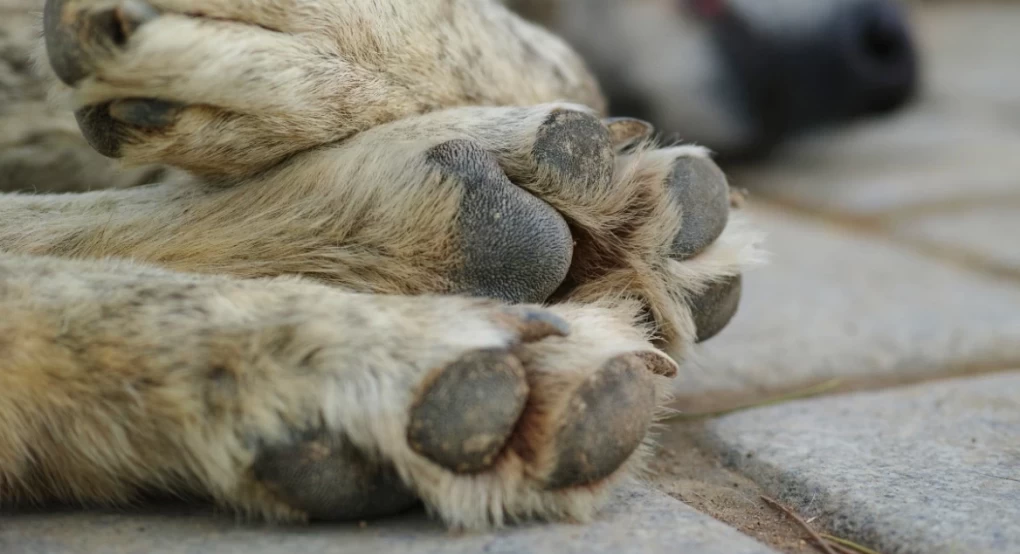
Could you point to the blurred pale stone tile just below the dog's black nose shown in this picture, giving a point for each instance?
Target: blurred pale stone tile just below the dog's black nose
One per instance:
(922, 157)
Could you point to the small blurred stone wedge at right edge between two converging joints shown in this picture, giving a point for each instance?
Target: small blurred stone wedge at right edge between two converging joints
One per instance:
(990, 233)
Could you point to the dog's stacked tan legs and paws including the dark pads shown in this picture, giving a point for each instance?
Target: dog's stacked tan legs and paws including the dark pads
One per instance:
(418, 148)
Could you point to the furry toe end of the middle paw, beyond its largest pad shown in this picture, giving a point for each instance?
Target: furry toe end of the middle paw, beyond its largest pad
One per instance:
(651, 225)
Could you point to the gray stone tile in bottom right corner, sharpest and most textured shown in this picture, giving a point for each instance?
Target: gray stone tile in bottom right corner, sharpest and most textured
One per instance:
(926, 470)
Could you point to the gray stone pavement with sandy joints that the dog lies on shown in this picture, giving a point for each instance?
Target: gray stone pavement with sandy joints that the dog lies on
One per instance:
(895, 281)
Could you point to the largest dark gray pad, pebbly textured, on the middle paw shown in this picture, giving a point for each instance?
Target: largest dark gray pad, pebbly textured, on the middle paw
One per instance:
(516, 247)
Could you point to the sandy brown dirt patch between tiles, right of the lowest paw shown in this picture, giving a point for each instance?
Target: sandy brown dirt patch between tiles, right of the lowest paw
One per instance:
(686, 472)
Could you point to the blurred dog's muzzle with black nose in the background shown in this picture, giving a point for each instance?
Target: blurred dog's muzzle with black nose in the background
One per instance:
(742, 77)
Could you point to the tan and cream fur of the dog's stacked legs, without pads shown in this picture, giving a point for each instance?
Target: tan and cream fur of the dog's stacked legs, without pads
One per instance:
(171, 371)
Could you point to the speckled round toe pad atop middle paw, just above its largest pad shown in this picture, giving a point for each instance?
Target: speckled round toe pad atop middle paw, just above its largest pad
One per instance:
(578, 148)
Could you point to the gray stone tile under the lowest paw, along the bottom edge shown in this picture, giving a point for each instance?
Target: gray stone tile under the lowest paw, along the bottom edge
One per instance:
(639, 522)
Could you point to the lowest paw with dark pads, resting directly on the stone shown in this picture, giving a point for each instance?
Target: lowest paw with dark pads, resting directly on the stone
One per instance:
(488, 414)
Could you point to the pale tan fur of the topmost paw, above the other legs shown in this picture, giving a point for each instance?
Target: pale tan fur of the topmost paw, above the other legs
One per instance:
(388, 62)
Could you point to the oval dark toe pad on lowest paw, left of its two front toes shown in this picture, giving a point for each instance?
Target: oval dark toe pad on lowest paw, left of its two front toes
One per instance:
(464, 418)
